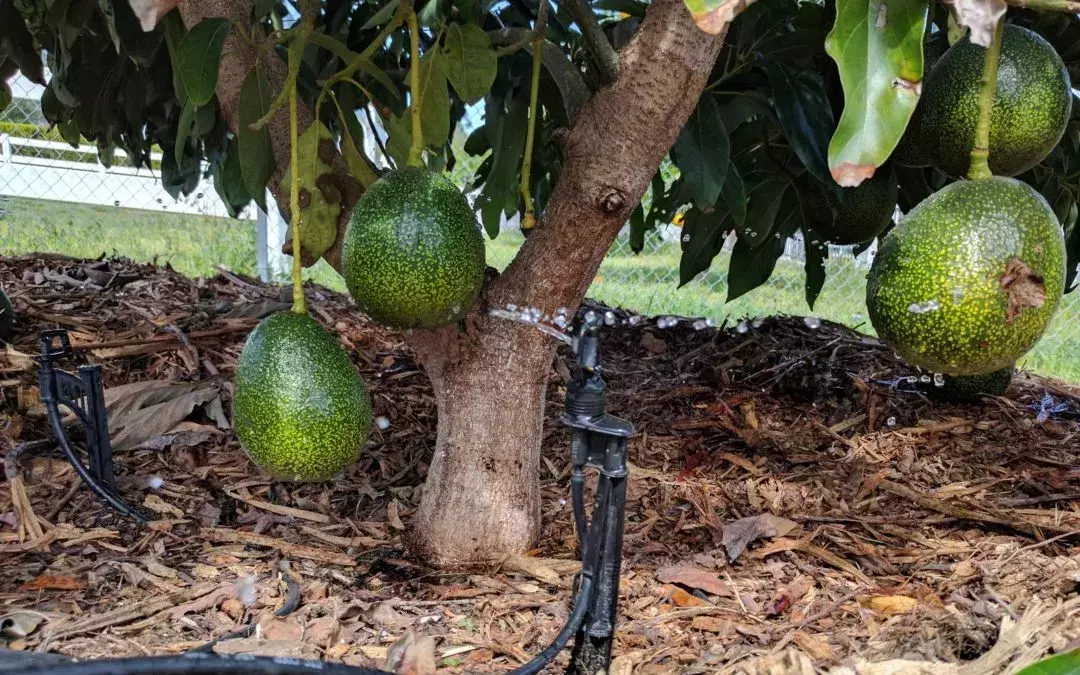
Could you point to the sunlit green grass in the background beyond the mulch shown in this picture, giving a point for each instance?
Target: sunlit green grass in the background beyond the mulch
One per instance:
(647, 283)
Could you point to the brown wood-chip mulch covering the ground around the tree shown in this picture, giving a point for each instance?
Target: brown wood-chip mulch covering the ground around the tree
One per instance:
(796, 503)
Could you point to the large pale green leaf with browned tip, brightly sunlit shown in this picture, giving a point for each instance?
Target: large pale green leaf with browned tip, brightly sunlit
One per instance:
(877, 47)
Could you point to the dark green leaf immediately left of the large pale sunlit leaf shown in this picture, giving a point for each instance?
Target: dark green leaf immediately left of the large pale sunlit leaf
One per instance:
(805, 116)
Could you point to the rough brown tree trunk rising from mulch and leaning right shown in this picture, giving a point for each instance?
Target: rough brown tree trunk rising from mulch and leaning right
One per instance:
(482, 497)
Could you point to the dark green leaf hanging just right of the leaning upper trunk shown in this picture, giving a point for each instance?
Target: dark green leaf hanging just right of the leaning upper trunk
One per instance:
(703, 153)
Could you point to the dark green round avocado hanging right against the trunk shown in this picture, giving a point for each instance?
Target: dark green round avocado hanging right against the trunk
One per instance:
(413, 255)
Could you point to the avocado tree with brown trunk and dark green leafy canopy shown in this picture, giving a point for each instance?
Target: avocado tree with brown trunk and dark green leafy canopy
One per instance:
(765, 120)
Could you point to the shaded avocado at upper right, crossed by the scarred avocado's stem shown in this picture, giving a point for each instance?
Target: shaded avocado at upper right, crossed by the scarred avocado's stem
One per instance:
(1032, 105)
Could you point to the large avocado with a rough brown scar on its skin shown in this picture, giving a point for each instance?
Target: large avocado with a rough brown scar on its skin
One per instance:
(969, 279)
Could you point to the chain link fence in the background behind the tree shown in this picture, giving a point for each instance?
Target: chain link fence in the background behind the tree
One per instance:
(40, 172)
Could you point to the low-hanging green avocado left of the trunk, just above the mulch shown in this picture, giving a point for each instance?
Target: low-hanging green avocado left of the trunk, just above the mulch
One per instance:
(301, 411)
